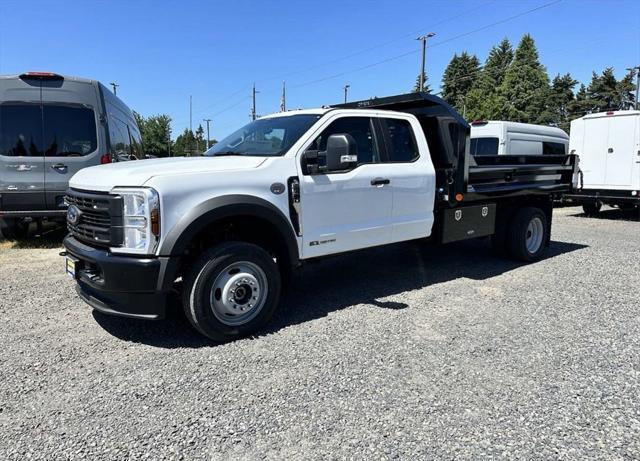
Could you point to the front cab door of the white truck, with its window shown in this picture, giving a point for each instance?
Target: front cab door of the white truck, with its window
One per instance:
(346, 210)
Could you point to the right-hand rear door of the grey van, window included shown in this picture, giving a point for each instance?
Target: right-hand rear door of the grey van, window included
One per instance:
(70, 134)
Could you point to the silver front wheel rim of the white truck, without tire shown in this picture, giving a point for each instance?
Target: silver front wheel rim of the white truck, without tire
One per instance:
(238, 293)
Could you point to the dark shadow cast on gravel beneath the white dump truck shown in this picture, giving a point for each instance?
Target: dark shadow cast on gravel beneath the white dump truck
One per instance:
(365, 277)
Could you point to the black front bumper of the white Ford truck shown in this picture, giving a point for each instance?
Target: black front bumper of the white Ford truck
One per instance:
(122, 285)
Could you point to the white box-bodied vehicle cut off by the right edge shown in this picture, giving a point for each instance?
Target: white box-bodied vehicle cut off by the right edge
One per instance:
(608, 144)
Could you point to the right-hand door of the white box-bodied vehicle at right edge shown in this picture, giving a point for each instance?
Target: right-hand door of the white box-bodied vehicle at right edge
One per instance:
(620, 154)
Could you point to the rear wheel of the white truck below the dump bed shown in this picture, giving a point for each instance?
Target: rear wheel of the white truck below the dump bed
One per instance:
(523, 243)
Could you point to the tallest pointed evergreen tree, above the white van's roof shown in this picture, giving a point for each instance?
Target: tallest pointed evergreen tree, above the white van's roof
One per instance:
(525, 87)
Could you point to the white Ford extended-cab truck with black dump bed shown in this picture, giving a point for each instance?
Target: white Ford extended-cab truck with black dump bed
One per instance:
(235, 224)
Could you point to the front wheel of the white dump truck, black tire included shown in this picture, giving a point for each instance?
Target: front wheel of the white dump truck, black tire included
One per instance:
(202, 300)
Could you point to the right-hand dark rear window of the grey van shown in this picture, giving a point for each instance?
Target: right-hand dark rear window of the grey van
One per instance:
(69, 131)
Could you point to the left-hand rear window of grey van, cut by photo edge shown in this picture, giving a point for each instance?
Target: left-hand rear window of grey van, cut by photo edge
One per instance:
(20, 130)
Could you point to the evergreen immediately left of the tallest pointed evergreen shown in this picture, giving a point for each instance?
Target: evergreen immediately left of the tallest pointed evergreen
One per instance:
(482, 101)
